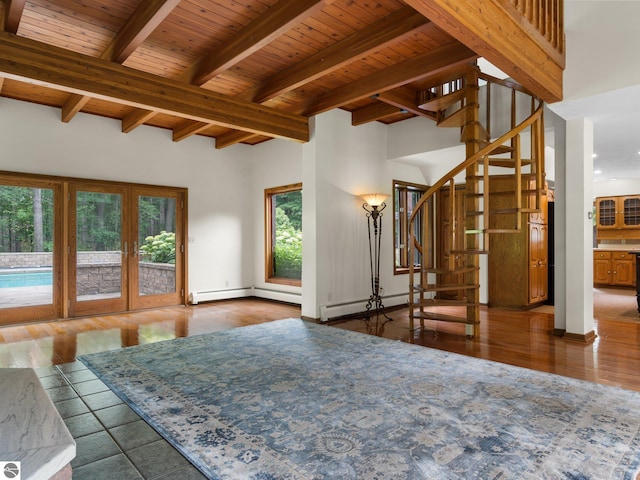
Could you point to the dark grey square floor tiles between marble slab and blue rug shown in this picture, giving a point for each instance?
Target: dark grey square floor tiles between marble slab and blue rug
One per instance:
(112, 441)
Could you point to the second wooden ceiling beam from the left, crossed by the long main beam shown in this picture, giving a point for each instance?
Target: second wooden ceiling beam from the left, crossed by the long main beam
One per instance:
(138, 27)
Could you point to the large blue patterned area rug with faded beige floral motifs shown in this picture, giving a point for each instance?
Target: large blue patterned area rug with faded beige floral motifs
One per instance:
(295, 400)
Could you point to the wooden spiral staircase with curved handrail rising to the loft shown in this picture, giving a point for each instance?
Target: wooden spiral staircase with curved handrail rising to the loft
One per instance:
(501, 125)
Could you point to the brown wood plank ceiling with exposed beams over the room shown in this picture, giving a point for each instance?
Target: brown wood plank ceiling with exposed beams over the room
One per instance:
(234, 70)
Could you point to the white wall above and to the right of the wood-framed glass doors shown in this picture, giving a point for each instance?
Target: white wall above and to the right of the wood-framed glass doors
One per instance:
(221, 227)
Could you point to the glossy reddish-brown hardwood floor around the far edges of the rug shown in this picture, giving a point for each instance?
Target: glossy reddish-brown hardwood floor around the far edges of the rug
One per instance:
(514, 337)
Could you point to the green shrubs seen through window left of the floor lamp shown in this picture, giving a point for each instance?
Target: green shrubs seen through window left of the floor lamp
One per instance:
(288, 235)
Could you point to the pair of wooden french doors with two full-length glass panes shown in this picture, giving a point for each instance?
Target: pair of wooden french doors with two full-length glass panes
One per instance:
(126, 248)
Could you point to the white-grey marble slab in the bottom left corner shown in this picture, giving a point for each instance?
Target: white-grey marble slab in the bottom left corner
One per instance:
(31, 429)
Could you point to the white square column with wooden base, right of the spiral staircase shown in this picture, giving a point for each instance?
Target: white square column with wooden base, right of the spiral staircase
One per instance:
(579, 230)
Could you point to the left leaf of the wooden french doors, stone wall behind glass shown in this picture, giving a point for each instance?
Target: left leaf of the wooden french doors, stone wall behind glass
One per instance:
(98, 252)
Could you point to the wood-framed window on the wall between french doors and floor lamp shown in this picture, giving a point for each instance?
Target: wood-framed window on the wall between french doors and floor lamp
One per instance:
(283, 225)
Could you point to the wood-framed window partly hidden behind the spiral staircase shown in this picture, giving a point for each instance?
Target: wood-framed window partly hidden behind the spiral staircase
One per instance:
(405, 197)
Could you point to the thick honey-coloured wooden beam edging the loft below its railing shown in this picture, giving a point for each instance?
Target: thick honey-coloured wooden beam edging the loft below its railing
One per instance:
(513, 47)
